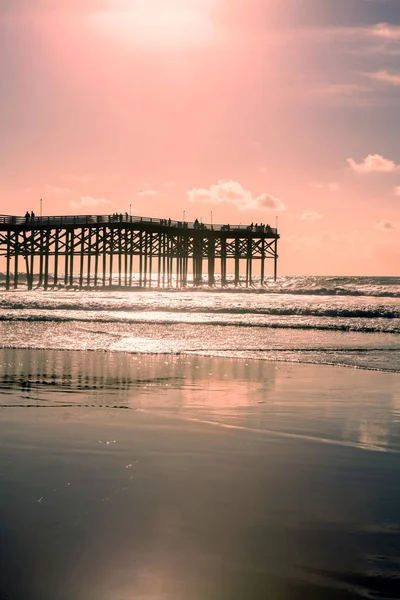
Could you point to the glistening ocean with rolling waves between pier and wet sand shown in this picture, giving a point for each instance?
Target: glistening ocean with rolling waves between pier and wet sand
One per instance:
(349, 321)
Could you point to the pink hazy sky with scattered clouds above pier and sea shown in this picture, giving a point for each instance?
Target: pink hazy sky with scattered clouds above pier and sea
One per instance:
(237, 111)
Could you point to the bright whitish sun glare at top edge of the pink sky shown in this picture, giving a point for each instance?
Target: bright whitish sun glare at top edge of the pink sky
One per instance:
(158, 21)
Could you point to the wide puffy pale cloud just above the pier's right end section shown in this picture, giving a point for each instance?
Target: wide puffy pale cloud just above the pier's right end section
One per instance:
(232, 192)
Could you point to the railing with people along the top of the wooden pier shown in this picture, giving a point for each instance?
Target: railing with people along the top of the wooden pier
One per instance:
(82, 220)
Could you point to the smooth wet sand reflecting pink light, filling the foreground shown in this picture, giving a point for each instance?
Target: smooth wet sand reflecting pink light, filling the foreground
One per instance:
(191, 478)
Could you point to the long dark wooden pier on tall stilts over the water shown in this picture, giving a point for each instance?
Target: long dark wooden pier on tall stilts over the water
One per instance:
(127, 251)
